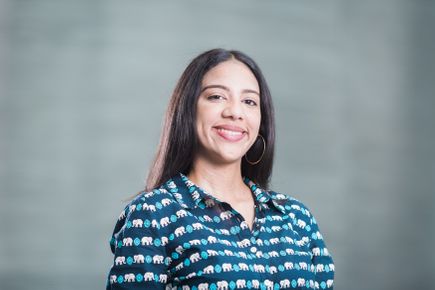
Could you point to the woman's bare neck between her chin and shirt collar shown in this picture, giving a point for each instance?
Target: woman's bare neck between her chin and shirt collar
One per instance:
(223, 181)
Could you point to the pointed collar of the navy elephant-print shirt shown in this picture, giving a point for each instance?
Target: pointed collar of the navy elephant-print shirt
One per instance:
(190, 195)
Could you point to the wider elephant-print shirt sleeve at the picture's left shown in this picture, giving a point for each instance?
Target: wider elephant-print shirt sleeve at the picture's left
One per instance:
(140, 260)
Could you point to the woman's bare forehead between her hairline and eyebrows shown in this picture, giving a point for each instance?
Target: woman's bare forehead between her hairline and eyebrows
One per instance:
(232, 73)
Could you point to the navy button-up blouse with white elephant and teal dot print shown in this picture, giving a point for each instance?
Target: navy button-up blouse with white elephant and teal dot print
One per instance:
(180, 237)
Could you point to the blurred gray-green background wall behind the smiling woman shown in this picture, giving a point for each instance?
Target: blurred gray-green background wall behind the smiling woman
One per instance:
(84, 84)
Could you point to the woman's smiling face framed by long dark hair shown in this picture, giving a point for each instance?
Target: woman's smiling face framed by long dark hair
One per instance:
(228, 112)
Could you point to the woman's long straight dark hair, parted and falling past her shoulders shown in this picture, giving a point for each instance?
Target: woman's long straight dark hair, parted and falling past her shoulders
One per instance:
(179, 141)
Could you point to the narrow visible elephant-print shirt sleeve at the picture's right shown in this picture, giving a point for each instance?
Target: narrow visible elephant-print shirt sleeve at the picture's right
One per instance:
(322, 260)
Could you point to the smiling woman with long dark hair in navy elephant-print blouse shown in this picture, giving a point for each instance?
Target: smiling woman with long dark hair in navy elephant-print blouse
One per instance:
(206, 220)
